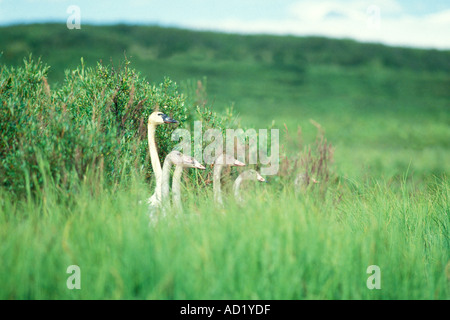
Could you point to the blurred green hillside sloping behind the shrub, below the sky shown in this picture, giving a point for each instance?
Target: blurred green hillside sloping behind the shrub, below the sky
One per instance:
(371, 99)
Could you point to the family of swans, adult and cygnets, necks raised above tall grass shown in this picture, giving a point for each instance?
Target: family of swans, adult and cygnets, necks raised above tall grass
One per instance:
(160, 197)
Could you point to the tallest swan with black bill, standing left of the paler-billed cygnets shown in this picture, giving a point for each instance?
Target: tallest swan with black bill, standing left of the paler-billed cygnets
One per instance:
(155, 119)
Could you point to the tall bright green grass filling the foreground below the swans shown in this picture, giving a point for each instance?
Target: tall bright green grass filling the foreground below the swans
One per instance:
(309, 250)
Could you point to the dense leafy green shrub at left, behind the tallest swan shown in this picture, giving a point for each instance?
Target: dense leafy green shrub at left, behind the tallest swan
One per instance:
(96, 121)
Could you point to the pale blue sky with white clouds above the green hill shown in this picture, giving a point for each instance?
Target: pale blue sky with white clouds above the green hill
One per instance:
(416, 23)
